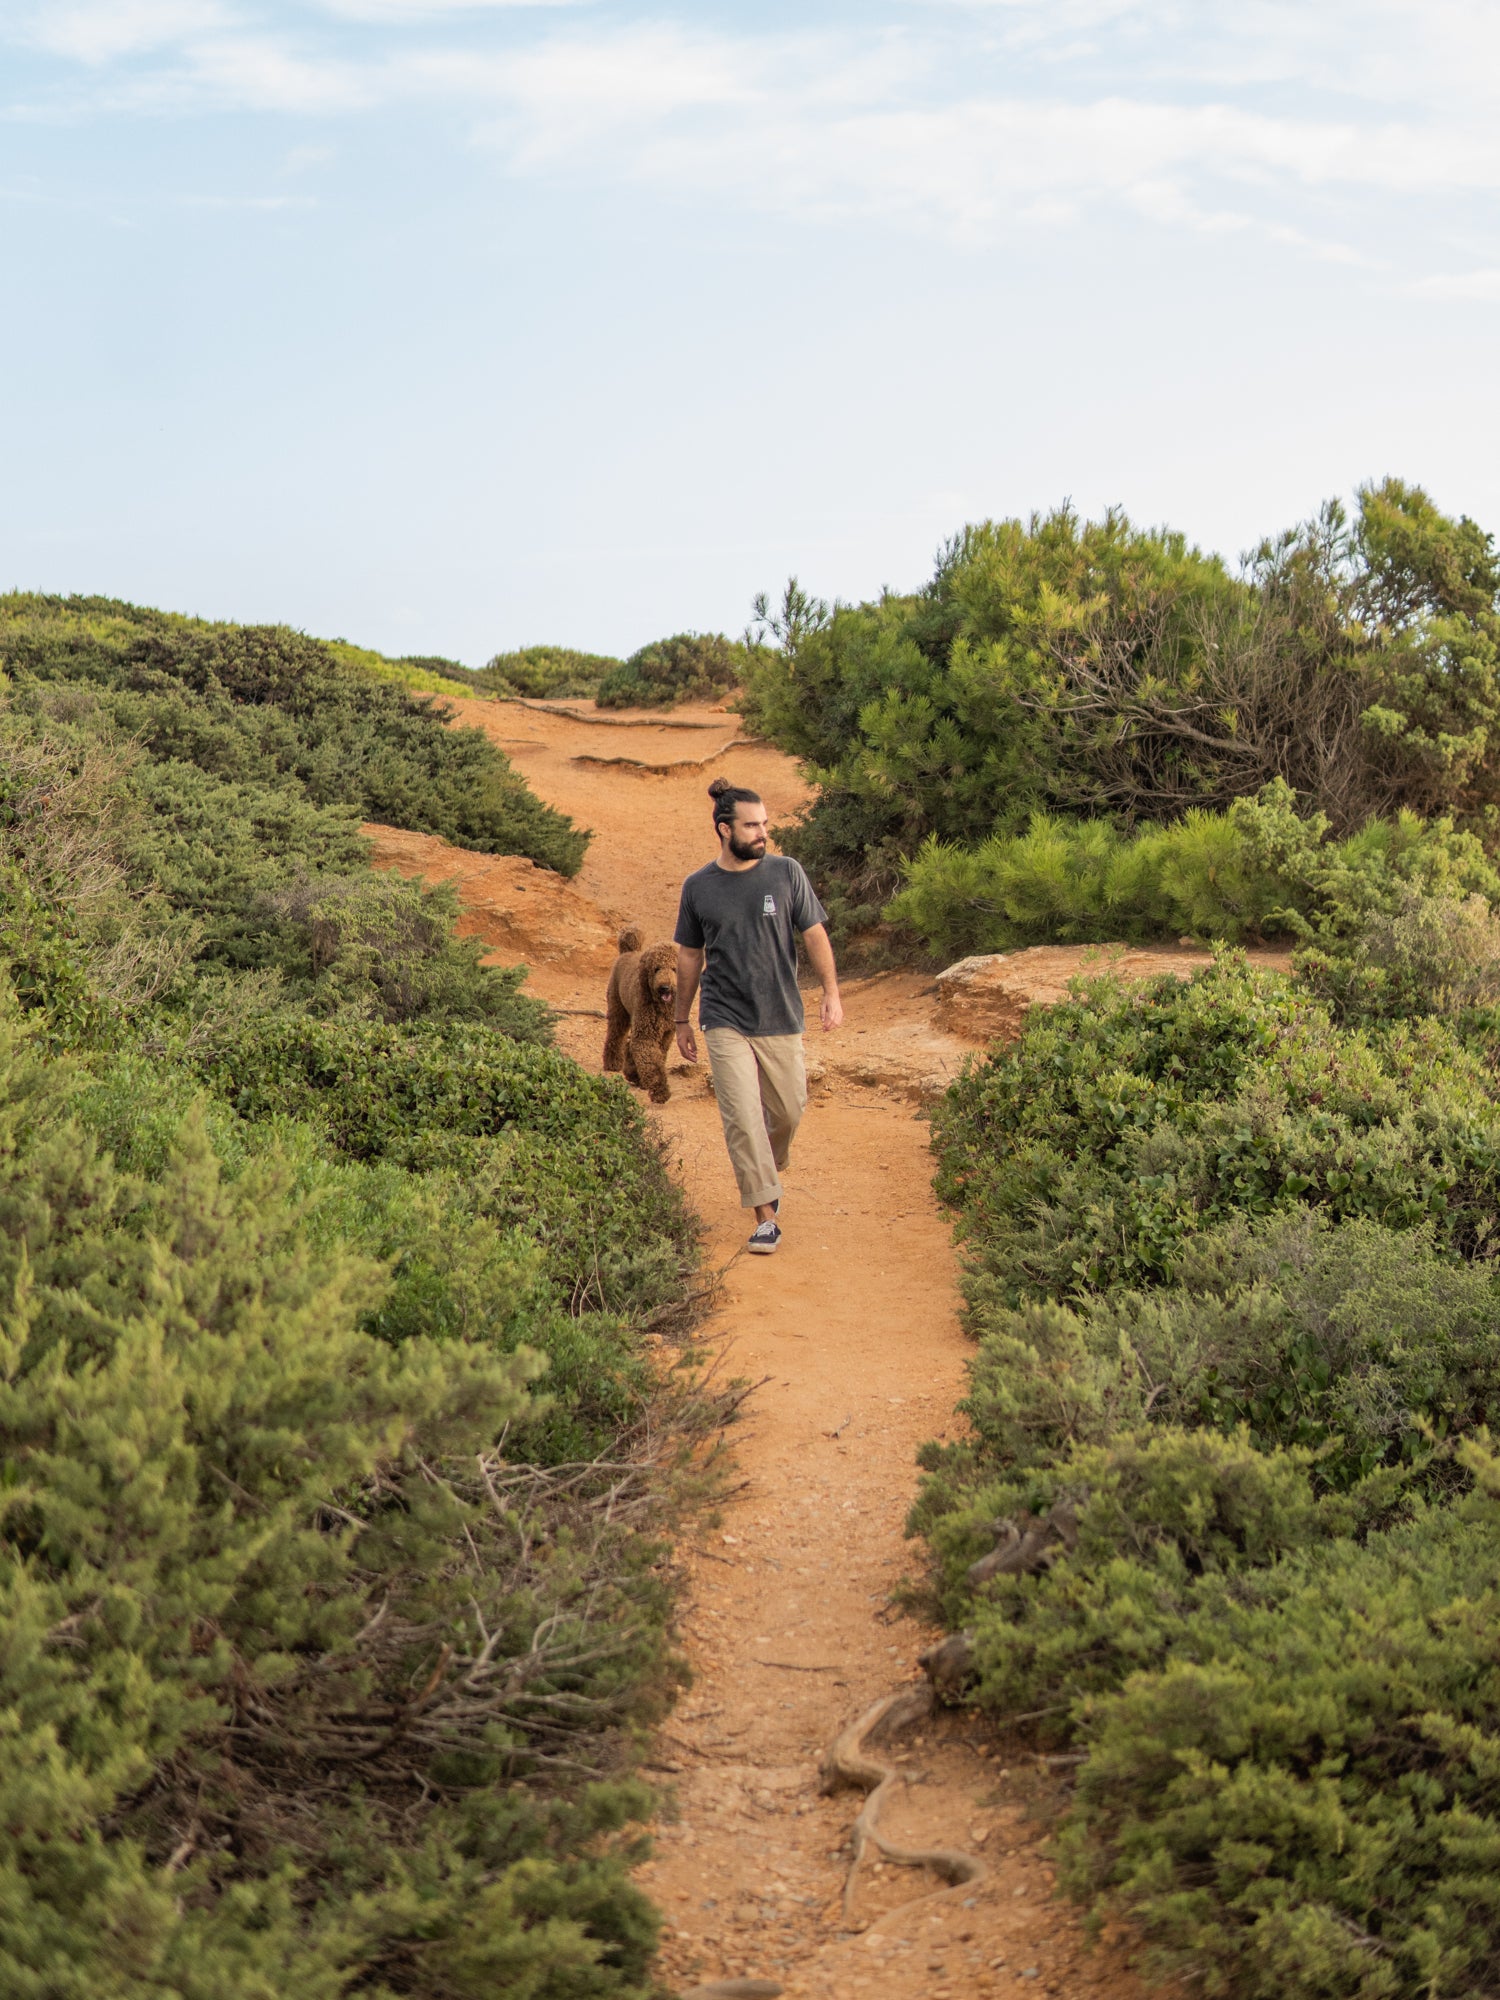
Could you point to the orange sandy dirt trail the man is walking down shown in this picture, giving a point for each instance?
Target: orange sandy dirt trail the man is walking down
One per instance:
(853, 1325)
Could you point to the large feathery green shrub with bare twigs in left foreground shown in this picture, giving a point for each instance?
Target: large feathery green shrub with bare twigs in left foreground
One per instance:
(249, 1555)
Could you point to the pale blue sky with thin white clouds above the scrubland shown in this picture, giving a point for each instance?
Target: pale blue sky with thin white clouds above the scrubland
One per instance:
(463, 325)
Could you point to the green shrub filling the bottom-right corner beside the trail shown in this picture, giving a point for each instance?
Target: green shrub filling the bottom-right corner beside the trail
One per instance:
(1307, 1799)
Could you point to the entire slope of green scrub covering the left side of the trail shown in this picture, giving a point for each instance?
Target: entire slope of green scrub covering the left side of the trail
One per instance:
(335, 1481)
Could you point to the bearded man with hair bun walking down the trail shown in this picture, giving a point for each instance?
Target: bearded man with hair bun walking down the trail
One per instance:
(737, 933)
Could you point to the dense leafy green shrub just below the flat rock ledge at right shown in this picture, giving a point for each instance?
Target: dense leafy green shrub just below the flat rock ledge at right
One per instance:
(1127, 1121)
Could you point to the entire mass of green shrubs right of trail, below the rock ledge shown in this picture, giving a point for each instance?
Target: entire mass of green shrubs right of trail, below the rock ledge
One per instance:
(1227, 1521)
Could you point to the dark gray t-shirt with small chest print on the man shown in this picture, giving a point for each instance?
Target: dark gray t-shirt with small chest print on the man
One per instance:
(747, 921)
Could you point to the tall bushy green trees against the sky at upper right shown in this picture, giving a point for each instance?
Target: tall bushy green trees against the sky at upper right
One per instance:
(1097, 671)
